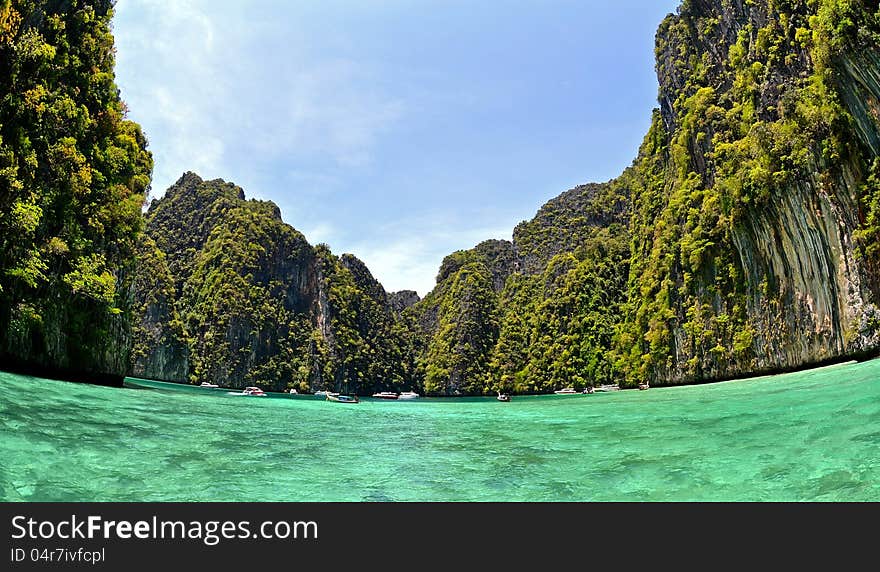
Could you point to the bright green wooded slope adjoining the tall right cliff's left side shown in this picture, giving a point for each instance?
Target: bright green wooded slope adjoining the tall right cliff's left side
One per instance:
(558, 327)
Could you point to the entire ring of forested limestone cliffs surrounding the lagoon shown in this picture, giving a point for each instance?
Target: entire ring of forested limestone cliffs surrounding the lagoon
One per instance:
(743, 239)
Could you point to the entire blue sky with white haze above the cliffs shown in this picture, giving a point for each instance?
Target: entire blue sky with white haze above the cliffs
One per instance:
(399, 131)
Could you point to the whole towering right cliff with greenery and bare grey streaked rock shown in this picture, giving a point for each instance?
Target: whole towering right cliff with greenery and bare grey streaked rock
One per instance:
(752, 190)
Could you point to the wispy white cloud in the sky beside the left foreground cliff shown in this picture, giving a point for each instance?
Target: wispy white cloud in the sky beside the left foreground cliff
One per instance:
(222, 90)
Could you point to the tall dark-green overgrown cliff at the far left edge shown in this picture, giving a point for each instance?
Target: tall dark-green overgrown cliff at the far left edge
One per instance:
(73, 176)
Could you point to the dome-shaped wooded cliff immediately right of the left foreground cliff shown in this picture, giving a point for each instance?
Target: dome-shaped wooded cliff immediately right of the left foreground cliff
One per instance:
(224, 291)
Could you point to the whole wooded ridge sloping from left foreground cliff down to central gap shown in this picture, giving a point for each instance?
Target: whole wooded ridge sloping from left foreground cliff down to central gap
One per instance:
(228, 293)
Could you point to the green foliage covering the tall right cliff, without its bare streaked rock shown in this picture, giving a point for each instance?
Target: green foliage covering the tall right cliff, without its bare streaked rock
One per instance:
(734, 137)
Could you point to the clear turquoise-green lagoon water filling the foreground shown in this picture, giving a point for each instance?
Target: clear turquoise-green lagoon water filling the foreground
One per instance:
(812, 436)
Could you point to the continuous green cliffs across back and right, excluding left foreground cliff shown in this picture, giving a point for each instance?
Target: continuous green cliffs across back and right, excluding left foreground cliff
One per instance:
(744, 238)
